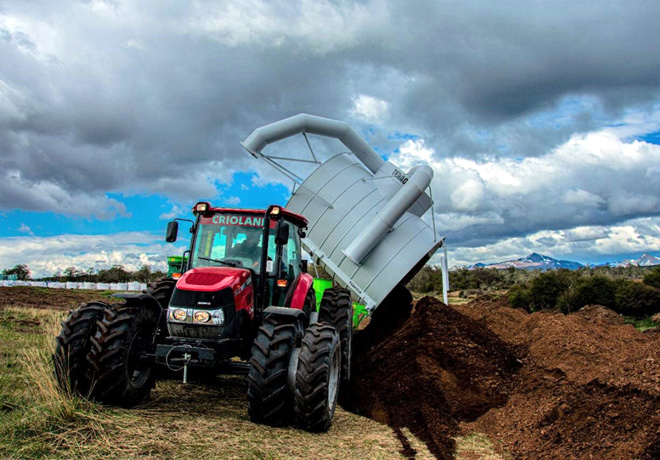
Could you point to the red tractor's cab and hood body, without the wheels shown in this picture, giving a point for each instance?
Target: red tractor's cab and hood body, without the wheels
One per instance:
(240, 261)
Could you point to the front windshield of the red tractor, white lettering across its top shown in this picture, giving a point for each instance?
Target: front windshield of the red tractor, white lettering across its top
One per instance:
(229, 240)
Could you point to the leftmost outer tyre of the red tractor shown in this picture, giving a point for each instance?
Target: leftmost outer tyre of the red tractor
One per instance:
(72, 345)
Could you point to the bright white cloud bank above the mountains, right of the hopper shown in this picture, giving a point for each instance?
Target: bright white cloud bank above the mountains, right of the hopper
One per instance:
(592, 179)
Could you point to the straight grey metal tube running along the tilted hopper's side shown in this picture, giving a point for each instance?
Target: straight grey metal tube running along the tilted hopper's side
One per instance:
(371, 235)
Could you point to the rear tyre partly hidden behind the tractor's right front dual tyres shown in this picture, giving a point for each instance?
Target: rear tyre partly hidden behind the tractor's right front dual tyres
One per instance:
(337, 309)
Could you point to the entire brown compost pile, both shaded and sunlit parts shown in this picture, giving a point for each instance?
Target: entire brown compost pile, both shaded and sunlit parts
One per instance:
(539, 385)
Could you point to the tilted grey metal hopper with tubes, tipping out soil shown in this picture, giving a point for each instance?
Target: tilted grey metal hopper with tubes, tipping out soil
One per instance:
(365, 225)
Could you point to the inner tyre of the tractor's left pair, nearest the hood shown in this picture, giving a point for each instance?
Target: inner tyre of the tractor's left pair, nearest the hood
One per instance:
(120, 372)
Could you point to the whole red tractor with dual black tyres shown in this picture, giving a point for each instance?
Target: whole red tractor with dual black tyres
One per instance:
(244, 304)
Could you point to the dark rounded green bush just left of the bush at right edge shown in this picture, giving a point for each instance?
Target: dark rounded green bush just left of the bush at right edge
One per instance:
(598, 290)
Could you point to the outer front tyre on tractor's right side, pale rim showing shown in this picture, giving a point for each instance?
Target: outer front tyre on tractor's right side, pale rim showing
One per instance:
(317, 378)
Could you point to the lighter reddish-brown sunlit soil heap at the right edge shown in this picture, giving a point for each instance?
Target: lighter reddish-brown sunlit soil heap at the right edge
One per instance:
(589, 387)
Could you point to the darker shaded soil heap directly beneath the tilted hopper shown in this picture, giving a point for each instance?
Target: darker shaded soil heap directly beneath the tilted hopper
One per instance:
(439, 368)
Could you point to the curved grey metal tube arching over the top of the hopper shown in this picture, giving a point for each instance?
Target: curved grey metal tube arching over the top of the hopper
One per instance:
(303, 123)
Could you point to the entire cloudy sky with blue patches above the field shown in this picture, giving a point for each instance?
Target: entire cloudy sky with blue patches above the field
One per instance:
(541, 119)
